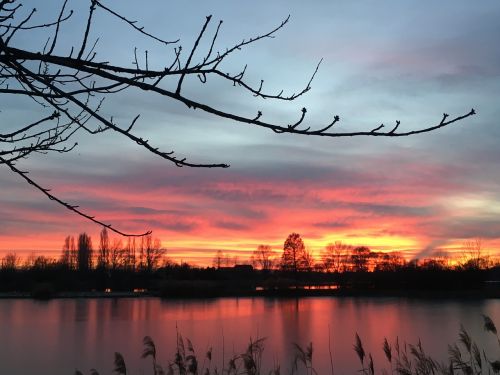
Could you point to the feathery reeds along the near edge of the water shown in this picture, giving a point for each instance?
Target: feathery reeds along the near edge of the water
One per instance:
(464, 358)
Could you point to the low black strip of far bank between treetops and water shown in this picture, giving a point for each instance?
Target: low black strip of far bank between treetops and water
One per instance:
(179, 283)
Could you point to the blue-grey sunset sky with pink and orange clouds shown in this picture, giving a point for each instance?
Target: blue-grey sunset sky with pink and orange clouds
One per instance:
(382, 61)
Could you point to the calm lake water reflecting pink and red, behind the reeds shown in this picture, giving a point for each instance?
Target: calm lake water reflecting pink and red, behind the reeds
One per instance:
(60, 336)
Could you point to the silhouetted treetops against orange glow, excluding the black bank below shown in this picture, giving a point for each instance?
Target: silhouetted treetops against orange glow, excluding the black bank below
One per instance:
(147, 254)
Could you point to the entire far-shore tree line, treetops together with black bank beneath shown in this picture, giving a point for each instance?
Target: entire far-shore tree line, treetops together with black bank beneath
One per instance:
(142, 265)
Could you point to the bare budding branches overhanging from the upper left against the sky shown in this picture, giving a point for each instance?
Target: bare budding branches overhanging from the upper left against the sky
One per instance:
(69, 85)
